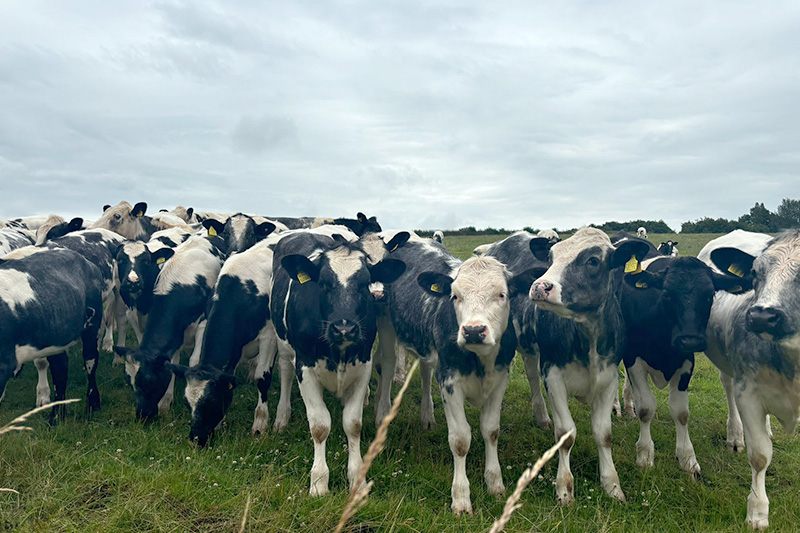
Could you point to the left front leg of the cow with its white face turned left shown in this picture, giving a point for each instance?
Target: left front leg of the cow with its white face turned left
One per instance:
(558, 398)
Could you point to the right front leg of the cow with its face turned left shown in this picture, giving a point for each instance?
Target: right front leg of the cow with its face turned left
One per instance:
(601, 428)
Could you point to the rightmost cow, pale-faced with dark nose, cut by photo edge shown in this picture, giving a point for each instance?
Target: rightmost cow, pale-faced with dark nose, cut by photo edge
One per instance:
(754, 339)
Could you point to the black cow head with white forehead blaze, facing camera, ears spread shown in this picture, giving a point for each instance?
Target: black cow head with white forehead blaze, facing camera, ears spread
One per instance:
(343, 276)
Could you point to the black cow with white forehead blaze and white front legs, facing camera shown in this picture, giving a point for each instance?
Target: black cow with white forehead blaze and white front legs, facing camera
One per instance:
(322, 306)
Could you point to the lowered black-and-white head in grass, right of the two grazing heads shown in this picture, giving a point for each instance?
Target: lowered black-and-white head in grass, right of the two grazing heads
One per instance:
(209, 393)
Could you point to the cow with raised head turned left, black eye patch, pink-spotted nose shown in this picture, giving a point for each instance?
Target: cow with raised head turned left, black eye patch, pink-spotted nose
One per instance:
(580, 357)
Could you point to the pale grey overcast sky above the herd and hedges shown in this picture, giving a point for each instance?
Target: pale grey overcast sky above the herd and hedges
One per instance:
(426, 114)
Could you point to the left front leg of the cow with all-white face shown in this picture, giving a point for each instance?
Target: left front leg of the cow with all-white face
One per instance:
(459, 437)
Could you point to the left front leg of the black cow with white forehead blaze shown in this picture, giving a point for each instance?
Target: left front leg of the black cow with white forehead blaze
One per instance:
(319, 422)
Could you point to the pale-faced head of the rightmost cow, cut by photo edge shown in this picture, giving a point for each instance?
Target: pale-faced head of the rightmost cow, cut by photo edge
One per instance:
(775, 313)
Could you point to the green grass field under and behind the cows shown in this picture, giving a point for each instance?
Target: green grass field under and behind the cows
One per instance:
(108, 472)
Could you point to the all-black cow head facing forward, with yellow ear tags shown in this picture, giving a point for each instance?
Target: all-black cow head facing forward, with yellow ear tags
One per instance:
(685, 291)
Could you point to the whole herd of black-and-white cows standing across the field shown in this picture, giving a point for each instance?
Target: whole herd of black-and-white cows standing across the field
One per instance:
(316, 294)
